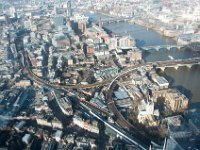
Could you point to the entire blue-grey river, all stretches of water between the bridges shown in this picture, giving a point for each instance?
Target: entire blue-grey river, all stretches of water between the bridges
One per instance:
(185, 79)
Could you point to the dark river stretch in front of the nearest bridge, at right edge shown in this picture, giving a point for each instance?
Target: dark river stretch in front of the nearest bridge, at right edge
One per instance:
(186, 80)
